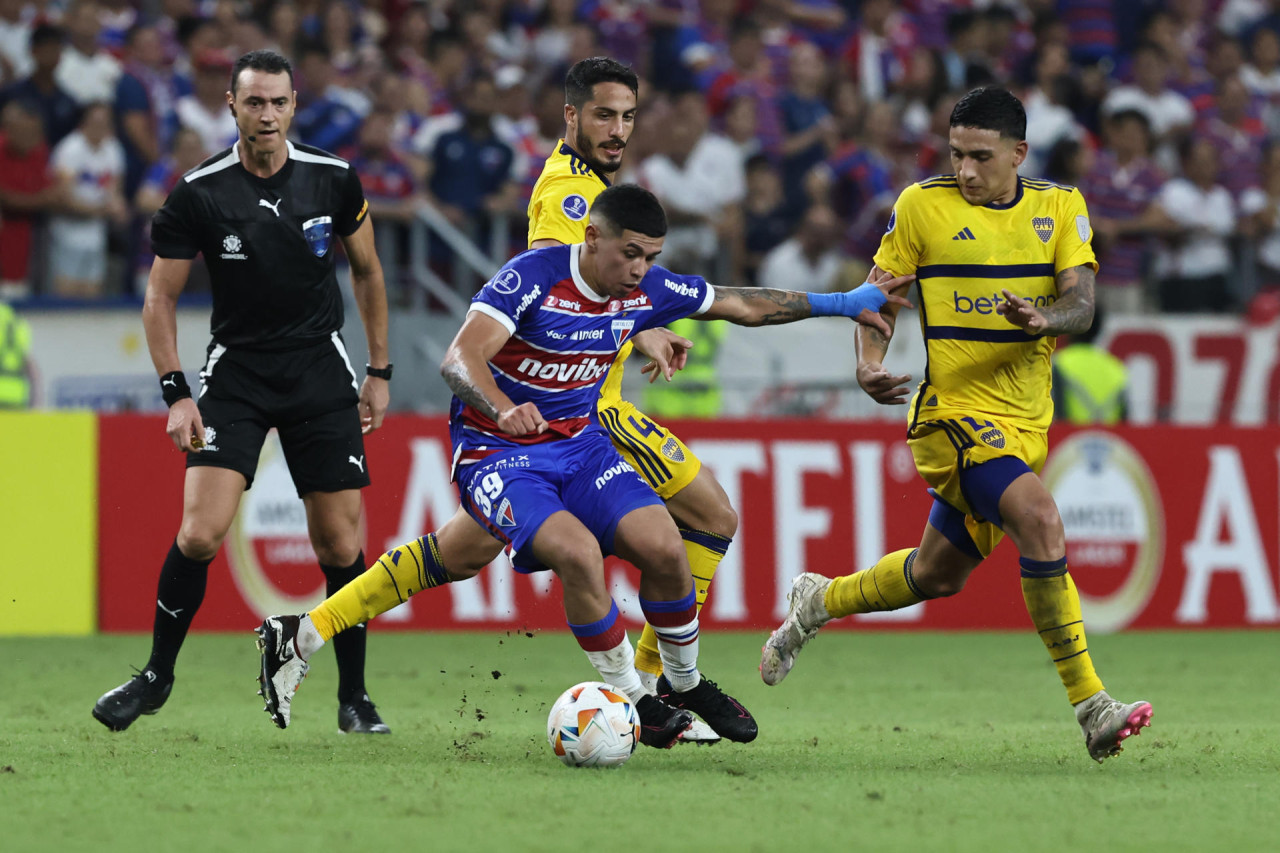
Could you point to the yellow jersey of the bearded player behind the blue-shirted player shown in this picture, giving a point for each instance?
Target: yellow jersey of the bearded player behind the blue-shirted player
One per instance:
(557, 211)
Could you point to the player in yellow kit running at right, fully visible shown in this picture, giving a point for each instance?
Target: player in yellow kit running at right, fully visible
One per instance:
(1004, 266)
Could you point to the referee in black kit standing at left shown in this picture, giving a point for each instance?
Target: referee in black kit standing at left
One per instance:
(266, 215)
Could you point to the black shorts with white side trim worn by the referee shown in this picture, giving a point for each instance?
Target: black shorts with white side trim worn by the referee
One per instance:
(309, 395)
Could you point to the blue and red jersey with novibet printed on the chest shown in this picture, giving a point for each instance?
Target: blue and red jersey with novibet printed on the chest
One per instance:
(564, 340)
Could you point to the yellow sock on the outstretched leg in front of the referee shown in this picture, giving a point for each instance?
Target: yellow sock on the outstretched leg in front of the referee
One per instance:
(399, 574)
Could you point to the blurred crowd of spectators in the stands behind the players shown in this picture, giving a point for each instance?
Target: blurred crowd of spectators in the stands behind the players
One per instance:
(776, 133)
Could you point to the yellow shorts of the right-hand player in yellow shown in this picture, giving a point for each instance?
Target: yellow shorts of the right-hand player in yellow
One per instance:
(943, 449)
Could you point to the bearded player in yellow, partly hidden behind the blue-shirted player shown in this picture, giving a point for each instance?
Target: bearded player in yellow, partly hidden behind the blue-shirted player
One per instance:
(600, 115)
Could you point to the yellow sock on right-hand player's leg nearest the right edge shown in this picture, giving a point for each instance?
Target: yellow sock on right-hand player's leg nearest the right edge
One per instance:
(1055, 608)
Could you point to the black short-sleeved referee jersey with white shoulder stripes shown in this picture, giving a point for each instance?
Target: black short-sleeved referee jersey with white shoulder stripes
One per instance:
(269, 243)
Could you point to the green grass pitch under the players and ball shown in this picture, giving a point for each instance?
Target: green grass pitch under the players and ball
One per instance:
(877, 742)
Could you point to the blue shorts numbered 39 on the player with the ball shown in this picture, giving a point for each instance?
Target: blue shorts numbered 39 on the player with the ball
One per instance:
(514, 492)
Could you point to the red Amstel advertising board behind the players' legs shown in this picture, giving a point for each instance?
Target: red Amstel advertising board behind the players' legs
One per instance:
(1167, 528)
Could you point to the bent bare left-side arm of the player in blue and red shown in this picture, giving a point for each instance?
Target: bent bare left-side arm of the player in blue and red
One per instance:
(467, 371)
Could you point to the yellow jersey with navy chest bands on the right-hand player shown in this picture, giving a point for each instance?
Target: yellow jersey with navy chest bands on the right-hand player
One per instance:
(963, 257)
